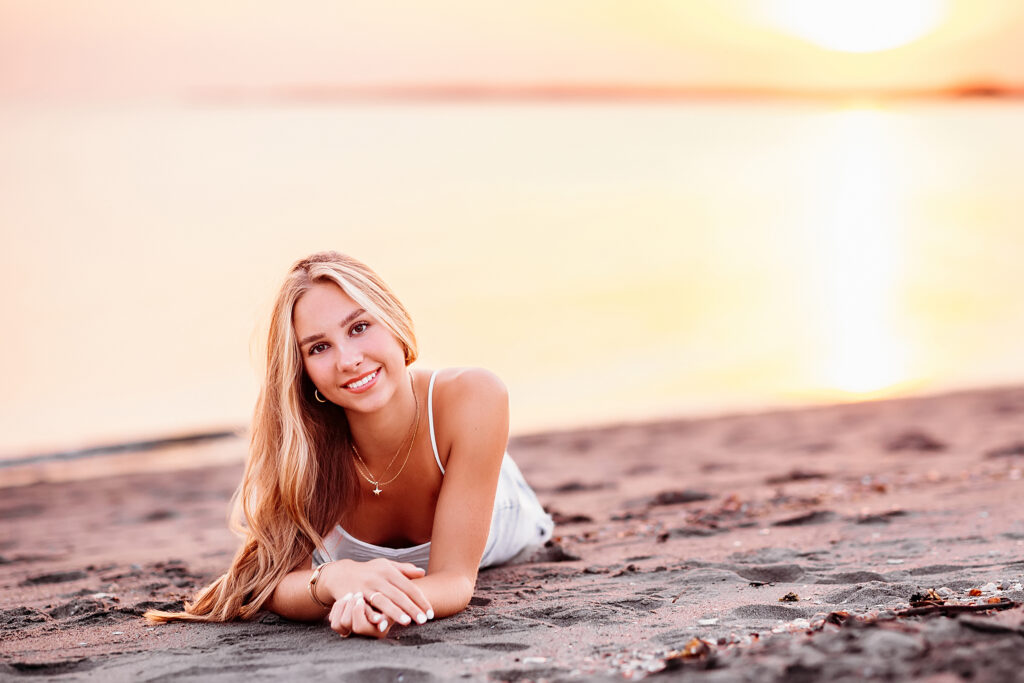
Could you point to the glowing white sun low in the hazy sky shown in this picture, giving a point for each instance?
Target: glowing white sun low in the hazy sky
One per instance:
(858, 26)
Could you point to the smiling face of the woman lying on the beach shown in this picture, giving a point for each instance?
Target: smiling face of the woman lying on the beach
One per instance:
(352, 358)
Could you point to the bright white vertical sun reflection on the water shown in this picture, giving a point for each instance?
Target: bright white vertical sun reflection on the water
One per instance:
(860, 219)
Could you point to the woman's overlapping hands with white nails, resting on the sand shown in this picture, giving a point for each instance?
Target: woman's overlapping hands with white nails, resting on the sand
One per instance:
(387, 587)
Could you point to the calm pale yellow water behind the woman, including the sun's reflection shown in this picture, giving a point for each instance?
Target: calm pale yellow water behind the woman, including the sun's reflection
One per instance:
(610, 262)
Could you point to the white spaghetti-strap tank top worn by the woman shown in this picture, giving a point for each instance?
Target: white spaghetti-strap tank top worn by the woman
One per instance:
(518, 524)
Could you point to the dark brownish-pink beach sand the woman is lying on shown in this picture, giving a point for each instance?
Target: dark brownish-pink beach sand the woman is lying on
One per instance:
(783, 546)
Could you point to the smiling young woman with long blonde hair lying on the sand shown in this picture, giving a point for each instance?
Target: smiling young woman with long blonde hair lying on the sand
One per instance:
(373, 493)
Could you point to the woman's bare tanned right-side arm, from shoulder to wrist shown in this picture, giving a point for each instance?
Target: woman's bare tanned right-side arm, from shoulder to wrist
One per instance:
(473, 408)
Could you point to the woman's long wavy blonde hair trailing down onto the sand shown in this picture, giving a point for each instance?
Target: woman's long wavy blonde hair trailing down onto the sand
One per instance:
(300, 479)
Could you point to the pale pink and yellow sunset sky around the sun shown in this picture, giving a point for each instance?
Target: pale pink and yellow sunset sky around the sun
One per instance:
(126, 49)
